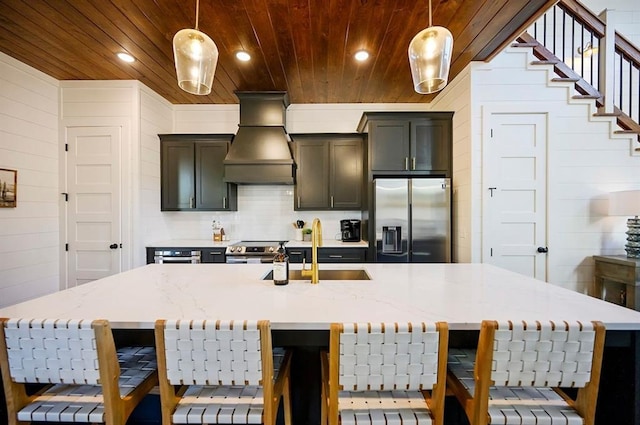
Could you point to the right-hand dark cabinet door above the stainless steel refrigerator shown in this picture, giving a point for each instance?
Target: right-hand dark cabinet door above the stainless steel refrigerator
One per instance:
(431, 145)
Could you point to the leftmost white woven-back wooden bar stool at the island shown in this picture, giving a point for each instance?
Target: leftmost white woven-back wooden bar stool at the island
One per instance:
(85, 378)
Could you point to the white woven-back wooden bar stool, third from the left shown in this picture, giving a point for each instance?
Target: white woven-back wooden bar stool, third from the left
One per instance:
(384, 373)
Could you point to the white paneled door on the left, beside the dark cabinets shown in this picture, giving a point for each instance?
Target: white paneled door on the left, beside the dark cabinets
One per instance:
(94, 203)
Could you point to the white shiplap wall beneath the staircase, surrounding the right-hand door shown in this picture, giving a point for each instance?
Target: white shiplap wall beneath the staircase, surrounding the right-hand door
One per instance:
(585, 161)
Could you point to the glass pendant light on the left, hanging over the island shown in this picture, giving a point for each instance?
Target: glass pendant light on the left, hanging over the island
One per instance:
(196, 57)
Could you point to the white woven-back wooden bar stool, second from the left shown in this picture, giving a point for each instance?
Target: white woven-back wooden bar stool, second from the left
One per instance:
(226, 372)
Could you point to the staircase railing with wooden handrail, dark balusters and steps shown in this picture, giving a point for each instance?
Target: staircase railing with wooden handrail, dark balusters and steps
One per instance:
(601, 63)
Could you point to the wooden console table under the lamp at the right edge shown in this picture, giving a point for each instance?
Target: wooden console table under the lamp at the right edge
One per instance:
(616, 279)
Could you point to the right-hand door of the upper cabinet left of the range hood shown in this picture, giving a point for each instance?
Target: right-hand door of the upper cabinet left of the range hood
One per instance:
(212, 191)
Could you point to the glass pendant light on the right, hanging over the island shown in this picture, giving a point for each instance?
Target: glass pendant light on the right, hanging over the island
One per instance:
(430, 58)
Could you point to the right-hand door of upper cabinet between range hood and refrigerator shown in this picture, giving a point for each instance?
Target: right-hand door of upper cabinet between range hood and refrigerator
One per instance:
(346, 174)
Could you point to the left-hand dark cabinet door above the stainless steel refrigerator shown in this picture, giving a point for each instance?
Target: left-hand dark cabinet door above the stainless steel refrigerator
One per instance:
(389, 145)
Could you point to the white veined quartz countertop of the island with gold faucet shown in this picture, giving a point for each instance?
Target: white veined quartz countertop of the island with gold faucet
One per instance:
(461, 294)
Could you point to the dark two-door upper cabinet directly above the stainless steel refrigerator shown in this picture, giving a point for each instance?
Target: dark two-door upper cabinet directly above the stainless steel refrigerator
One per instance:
(409, 143)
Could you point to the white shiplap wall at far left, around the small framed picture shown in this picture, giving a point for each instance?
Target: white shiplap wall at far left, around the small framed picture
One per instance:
(29, 241)
